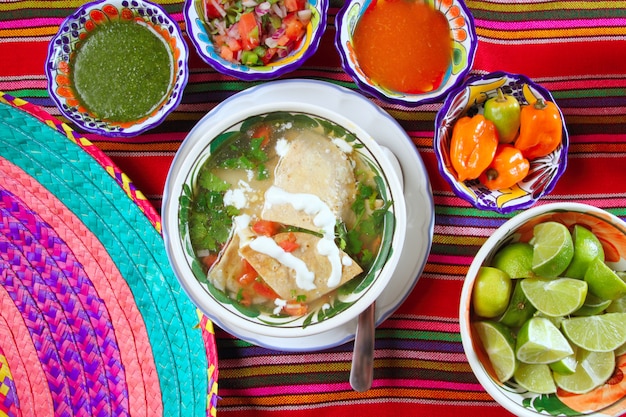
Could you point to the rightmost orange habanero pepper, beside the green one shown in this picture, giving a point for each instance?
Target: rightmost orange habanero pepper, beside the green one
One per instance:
(541, 129)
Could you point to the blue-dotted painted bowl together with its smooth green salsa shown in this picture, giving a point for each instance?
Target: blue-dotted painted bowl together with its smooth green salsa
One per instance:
(117, 67)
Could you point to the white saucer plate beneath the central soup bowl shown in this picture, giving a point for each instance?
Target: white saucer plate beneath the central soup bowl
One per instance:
(418, 194)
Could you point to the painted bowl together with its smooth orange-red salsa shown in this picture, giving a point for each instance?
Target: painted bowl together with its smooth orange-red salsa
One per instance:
(457, 24)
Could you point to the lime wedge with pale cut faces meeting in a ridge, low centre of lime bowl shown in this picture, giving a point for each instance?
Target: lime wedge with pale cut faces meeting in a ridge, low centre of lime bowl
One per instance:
(540, 341)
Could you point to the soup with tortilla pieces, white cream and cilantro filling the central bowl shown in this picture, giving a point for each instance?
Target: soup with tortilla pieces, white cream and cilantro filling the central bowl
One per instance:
(285, 212)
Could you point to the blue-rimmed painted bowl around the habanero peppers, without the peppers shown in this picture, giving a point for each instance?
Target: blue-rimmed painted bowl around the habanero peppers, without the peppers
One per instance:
(469, 100)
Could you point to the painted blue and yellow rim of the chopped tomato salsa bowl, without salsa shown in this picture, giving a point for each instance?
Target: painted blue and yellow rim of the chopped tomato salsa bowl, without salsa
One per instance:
(201, 39)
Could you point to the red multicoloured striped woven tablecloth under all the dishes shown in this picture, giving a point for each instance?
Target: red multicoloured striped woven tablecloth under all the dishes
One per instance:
(576, 49)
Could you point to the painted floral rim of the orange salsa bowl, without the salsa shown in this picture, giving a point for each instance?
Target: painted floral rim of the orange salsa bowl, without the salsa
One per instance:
(464, 49)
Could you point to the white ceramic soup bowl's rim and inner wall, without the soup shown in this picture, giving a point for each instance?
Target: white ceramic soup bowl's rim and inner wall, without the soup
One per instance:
(195, 149)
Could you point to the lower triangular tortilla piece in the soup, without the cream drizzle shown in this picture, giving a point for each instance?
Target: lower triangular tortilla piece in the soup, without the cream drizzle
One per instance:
(282, 278)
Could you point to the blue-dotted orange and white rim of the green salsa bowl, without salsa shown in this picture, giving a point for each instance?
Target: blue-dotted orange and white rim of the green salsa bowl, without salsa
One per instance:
(76, 27)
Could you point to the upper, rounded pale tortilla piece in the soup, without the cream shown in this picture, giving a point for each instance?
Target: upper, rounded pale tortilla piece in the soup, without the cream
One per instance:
(313, 165)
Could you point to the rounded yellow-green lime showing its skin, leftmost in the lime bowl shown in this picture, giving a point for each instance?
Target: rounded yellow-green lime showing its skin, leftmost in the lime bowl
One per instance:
(491, 293)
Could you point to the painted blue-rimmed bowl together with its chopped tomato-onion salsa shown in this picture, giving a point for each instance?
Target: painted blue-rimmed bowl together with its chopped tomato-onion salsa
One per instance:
(281, 36)
